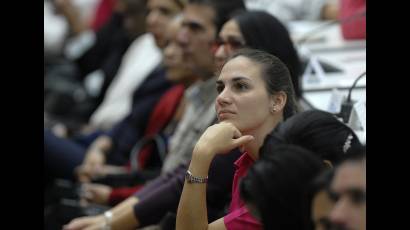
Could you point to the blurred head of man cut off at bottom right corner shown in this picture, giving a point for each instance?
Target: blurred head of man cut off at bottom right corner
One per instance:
(348, 192)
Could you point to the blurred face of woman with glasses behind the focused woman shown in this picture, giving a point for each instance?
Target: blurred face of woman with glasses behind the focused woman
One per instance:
(230, 39)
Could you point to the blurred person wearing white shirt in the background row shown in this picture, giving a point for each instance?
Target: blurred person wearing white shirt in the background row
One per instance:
(141, 61)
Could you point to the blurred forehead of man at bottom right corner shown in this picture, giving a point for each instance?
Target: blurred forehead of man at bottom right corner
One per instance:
(350, 175)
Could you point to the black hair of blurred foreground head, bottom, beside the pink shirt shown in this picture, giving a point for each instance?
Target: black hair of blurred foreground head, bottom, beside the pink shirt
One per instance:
(276, 185)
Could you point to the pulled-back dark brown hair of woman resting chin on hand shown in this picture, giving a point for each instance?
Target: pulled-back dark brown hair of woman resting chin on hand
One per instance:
(276, 76)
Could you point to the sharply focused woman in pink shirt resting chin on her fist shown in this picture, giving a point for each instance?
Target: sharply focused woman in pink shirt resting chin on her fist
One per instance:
(255, 94)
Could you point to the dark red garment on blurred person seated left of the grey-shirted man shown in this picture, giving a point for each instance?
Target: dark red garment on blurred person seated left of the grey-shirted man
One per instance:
(163, 112)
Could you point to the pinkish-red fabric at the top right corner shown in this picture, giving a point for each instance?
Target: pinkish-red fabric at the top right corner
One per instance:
(356, 27)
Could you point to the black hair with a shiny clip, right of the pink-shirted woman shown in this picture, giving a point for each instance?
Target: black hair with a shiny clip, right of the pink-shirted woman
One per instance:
(320, 132)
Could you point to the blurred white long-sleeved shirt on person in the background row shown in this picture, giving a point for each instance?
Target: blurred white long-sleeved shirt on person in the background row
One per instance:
(138, 62)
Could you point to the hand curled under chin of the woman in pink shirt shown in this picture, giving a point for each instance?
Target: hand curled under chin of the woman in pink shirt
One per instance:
(221, 138)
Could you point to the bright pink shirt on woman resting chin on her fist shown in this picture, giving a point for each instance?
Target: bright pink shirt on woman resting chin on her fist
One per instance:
(239, 216)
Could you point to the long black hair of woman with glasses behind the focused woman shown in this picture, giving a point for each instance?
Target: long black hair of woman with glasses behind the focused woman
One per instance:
(263, 31)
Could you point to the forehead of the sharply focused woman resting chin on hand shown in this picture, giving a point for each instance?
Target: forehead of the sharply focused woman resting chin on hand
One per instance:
(241, 67)
